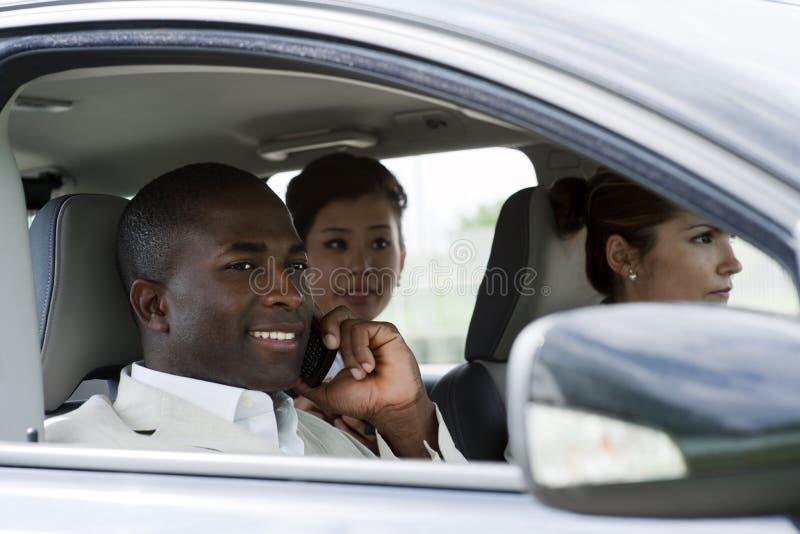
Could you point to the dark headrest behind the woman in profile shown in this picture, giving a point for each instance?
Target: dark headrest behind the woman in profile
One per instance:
(531, 272)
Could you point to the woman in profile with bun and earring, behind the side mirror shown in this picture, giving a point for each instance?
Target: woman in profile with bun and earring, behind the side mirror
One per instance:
(640, 246)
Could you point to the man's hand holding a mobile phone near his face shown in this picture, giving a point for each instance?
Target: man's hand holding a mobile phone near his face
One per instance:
(381, 383)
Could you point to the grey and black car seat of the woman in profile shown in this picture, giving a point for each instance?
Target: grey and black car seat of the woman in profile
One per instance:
(531, 272)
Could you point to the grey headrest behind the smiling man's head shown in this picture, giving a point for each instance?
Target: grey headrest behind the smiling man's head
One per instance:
(85, 321)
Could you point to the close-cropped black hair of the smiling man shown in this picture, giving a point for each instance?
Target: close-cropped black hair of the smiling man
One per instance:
(161, 212)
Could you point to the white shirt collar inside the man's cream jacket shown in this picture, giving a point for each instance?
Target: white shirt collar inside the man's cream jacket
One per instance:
(272, 418)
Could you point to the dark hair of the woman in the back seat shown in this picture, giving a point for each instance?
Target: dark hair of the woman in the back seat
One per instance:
(341, 176)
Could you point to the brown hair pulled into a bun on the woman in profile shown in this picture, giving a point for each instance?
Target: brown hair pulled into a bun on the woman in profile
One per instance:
(608, 204)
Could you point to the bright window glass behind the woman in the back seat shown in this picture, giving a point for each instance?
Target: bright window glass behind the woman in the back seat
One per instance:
(454, 199)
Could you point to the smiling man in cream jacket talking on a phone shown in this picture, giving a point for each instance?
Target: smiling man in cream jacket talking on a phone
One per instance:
(220, 350)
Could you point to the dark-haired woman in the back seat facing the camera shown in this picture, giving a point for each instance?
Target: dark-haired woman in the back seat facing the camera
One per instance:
(348, 210)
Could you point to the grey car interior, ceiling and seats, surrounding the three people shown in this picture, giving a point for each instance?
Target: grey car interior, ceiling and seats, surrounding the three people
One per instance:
(85, 139)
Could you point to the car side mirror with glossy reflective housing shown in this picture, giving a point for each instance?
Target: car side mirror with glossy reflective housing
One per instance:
(659, 409)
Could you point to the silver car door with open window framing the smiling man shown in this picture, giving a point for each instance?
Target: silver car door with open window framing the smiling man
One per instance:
(406, 52)
